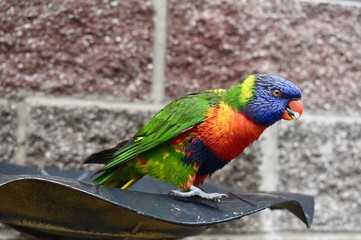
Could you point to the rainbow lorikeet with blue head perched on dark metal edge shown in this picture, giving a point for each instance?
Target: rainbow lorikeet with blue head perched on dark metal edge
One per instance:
(198, 134)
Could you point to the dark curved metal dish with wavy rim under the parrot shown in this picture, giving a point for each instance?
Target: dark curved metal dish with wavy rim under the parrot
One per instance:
(52, 204)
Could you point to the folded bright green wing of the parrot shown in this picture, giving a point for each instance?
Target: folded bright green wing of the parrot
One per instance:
(168, 123)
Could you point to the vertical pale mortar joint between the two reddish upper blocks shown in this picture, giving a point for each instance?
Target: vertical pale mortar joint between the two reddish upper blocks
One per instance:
(159, 50)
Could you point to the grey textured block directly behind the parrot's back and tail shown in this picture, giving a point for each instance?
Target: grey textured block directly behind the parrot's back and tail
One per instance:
(63, 136)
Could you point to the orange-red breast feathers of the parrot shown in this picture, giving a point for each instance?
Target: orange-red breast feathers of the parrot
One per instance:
(227, 133)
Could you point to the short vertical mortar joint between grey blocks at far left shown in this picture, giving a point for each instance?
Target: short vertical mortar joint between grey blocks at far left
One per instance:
(21, 135)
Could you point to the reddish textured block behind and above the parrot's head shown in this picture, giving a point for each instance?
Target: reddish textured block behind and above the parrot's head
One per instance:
(214, 44)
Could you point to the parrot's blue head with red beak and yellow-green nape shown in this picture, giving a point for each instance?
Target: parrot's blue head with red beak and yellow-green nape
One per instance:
(270, 99)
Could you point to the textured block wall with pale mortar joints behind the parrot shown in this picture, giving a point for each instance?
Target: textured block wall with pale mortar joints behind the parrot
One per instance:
(80, 76)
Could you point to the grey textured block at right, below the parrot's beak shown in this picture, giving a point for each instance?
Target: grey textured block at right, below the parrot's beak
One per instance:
(323, 159)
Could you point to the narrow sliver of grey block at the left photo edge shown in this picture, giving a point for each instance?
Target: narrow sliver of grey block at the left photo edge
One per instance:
(8, 131)
